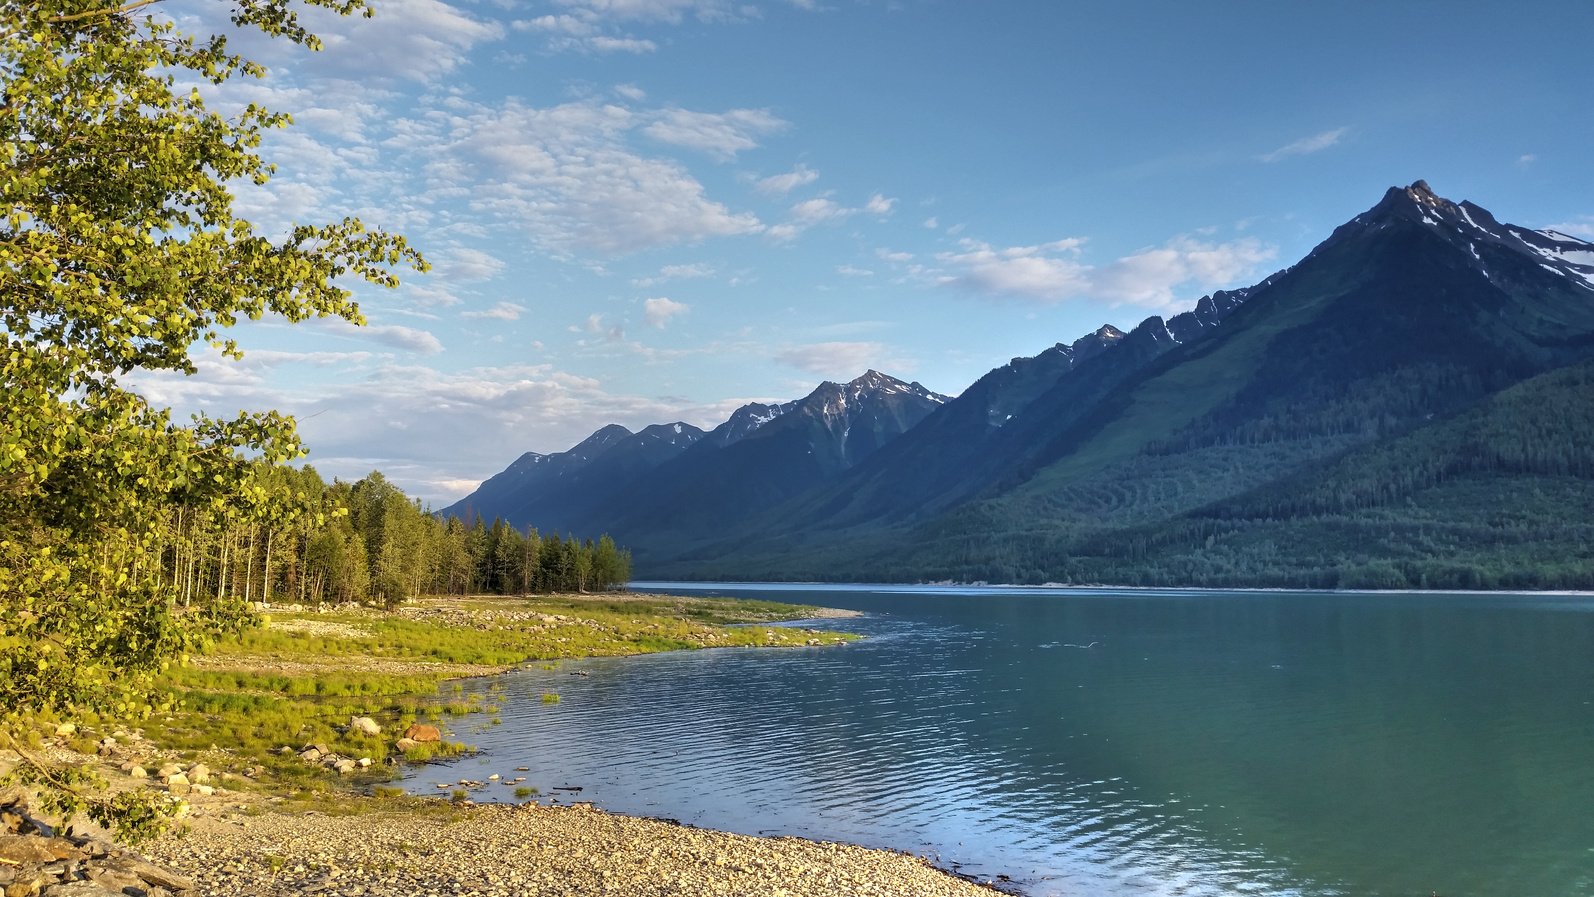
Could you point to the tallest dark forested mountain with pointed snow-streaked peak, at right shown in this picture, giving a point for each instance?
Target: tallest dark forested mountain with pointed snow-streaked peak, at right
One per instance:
(1384, 345)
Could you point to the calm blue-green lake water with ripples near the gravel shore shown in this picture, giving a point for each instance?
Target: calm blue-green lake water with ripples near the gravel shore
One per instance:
(1201, 745)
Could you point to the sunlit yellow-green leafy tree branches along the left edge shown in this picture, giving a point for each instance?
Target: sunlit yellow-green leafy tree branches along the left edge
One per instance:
(119, 254)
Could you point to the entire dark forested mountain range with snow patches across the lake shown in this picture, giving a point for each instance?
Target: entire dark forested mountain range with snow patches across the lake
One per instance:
(1217, 447)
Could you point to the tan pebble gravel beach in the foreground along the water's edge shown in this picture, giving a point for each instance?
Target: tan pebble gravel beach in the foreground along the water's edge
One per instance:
(528, 852)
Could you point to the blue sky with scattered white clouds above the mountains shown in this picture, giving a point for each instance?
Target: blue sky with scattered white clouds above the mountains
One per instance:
(654, 211)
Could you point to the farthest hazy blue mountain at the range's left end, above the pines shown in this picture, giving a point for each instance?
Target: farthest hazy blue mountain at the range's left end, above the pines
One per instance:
(548, 490)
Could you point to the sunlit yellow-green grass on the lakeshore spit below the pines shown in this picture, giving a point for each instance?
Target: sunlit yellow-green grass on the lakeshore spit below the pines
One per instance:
(278, 687)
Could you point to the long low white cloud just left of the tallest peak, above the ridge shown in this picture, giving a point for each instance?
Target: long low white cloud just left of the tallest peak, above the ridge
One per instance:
(1054, 273)
